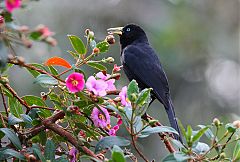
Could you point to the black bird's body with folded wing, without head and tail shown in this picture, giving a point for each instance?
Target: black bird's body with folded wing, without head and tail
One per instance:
(142, 64)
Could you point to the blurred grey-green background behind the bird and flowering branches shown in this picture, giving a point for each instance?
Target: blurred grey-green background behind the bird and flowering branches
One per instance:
(197, 42)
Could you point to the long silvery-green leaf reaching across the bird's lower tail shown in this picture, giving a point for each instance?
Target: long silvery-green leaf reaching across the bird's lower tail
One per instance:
(159, 129)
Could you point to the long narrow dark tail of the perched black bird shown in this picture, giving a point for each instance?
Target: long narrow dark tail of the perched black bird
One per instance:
(172, 119)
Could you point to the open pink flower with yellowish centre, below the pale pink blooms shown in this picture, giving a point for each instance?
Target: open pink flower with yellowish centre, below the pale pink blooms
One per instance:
(99, 119)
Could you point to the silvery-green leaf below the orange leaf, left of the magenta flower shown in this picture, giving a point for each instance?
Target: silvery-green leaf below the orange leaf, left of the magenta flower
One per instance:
(45, 80)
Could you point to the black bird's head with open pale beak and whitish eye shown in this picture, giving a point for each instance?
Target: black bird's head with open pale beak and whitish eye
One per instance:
(129, 34)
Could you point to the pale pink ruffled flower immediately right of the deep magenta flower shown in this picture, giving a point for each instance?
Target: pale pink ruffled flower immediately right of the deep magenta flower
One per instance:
(98, 87)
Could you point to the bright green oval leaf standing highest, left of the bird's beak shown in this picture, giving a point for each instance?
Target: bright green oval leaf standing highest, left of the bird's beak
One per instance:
(77, 44)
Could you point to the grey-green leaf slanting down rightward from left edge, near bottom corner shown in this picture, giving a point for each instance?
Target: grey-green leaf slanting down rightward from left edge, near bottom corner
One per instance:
(12, 137)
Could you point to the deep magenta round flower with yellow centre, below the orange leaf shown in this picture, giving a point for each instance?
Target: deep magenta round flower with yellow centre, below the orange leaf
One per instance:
(75, 82)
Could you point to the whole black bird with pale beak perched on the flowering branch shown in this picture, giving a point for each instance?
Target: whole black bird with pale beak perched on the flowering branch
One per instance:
(140, 62)
